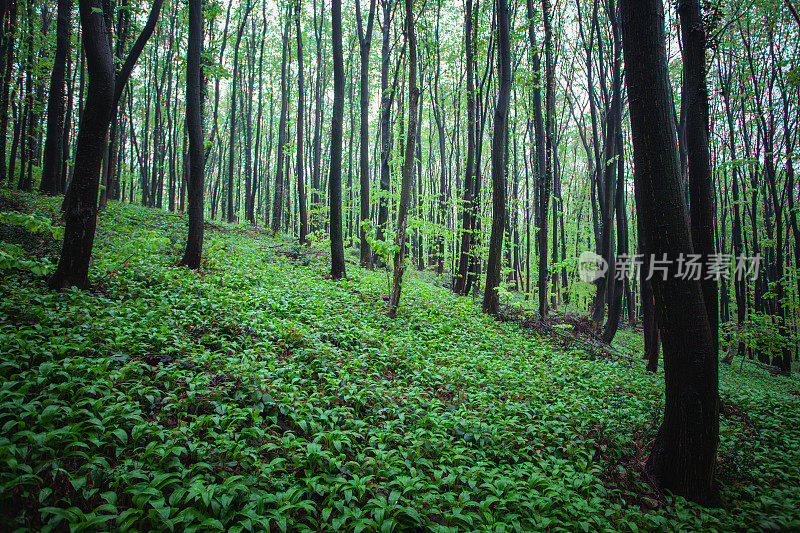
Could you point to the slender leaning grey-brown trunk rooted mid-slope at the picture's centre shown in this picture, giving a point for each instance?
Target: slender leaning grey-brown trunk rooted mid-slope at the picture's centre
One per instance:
(408, 164)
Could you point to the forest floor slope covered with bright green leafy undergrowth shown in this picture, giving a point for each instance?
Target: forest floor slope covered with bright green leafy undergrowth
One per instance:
(257, 394)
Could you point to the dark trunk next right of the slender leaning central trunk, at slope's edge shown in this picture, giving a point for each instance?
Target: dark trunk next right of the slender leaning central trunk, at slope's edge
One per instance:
(491, 299)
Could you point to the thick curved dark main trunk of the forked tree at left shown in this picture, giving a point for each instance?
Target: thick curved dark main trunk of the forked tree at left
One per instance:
(80, 216)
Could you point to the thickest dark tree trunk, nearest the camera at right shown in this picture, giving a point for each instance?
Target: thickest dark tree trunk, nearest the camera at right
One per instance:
(684, 453)
